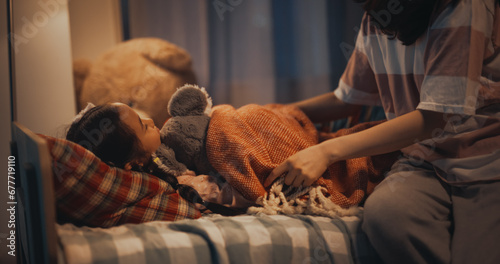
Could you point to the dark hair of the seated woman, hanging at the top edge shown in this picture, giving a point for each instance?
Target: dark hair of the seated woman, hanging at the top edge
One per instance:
(405, 20)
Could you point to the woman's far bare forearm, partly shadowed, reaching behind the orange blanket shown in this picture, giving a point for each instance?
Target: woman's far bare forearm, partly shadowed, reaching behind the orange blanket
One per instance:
(326, 107)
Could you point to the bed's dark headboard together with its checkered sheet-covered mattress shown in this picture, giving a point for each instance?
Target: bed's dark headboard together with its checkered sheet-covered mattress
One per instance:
(37, 240)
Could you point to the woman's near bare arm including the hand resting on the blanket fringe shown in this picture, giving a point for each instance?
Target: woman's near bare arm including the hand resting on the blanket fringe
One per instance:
(308, 165)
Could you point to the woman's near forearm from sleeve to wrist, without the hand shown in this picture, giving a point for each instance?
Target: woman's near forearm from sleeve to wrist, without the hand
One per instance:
(389, 136)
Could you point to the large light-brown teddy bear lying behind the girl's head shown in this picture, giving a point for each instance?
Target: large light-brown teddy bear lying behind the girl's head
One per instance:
(142, 73)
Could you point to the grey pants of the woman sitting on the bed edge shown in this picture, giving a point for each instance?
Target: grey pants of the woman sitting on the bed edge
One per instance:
(414, 217)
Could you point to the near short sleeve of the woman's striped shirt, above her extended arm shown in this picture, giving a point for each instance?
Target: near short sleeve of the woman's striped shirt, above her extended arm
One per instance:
(453, 58)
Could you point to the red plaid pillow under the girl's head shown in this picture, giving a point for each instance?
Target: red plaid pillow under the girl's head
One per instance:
(90, 192)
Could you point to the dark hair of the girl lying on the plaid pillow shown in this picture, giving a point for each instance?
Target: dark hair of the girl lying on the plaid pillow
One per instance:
(101, 131)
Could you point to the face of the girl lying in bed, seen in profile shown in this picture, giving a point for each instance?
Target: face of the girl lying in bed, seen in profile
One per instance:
(144, 128)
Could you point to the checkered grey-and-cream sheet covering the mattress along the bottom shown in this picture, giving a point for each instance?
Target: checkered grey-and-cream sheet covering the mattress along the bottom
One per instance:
(217, 239)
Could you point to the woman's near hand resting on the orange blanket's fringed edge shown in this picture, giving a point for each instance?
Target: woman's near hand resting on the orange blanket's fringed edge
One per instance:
(301, 169)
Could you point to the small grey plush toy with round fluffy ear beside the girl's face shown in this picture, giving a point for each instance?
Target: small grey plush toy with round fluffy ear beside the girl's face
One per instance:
(183, 136)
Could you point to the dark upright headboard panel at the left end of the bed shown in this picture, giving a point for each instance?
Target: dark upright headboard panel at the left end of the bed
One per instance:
(36, 238)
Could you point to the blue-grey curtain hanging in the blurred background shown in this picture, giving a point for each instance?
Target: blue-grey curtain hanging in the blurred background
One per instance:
(258, 51)
